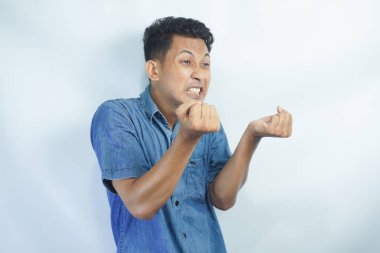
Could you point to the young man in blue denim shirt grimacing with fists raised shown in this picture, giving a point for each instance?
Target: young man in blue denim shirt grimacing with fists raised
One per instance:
(164, 156)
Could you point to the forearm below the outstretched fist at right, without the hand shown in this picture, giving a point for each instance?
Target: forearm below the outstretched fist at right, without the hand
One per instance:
(224, 189)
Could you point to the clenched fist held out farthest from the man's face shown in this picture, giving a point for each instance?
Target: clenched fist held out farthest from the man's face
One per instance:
(278, 125)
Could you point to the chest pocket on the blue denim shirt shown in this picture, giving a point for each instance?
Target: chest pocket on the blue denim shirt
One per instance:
(196, 179)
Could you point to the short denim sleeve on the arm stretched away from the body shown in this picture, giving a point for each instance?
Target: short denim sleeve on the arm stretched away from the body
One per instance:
(219, 153)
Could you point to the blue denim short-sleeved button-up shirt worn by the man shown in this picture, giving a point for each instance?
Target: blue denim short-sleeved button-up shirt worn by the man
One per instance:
(129, 137)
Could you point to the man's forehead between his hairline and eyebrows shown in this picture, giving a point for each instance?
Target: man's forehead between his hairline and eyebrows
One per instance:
(194, 45)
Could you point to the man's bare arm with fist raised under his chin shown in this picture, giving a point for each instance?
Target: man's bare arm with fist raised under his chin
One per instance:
(144, 196)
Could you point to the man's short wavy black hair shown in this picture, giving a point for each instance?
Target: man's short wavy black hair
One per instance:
(158, 36)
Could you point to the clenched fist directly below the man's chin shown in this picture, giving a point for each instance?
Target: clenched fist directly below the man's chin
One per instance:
(197, 118)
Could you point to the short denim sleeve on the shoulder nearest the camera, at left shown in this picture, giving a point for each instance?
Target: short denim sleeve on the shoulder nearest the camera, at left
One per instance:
(116, 145)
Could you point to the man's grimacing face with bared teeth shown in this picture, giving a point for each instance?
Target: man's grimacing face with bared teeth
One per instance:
(184, 72)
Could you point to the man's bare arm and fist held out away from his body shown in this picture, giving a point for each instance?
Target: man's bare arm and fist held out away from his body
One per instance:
(223, 190)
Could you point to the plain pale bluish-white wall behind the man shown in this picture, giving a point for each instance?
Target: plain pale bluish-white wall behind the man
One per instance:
(320, 59)
